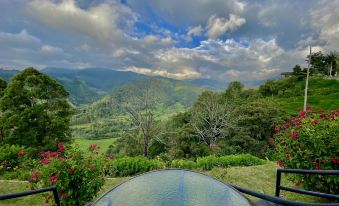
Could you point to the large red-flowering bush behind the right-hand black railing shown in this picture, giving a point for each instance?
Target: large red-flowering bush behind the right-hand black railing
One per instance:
(310, 141)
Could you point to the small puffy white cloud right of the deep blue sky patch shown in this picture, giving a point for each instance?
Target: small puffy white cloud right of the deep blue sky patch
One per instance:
(217, 26)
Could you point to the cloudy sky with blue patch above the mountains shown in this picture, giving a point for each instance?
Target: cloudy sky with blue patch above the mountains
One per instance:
(182, 39)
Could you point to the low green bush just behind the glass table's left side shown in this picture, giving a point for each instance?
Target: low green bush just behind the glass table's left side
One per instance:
(128, 166)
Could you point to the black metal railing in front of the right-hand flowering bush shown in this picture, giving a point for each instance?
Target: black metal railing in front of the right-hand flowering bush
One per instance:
(278, 186)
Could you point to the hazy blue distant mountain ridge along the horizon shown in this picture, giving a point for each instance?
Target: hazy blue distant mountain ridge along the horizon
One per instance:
(90, 84)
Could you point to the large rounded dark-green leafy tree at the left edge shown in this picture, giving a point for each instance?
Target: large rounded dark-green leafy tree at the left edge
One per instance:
(36, 112)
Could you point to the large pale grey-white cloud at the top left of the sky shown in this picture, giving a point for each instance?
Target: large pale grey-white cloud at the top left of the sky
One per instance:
(97, 21)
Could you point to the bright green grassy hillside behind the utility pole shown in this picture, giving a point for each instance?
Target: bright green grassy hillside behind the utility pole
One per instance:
(289, 93)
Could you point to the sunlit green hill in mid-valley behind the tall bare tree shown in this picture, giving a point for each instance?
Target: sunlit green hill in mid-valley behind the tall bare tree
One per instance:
(107, 117)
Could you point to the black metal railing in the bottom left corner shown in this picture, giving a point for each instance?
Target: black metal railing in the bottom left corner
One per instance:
(33, 192)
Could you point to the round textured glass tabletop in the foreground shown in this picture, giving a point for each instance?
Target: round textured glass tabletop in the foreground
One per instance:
(171, 188)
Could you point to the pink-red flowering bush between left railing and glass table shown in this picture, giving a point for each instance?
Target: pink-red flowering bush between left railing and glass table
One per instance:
(77, 176)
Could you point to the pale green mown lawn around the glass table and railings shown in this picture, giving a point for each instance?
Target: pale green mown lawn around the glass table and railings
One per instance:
(259, 178)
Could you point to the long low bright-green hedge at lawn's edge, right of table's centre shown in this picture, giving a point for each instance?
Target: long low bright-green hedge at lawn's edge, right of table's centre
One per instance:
(207, 163)
